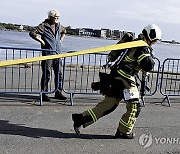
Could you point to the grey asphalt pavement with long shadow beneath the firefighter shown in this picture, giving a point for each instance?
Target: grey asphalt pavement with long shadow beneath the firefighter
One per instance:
(27, 128)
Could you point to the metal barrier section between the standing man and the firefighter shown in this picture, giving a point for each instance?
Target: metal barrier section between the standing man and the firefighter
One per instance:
(80, 71)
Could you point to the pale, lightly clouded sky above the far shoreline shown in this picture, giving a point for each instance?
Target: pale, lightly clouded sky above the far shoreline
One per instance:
(129, 15)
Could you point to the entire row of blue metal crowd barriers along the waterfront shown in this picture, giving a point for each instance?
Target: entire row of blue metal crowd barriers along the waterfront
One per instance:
(78, 74)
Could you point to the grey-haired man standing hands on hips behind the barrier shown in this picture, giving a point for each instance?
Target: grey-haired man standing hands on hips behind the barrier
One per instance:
(52, 34)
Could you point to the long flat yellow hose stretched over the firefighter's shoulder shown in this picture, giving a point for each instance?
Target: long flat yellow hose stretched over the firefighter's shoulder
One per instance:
(94, 50)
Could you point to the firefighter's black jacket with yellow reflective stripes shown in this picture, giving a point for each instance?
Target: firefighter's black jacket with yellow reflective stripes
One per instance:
(135, 59)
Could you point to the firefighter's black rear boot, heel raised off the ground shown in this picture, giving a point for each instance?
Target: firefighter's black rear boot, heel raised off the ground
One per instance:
(77, 118)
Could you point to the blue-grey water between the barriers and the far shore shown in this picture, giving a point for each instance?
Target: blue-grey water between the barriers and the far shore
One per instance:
(73, 43)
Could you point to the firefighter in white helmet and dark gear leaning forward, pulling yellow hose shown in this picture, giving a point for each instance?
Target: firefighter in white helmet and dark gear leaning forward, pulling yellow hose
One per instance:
(121, 84)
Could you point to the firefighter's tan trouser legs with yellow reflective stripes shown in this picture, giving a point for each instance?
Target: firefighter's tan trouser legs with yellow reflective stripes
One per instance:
(108, 105)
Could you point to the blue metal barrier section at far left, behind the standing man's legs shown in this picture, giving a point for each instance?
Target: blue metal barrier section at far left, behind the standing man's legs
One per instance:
(23, 78)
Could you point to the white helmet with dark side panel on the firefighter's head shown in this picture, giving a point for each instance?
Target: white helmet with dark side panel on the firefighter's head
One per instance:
(153, 32)
